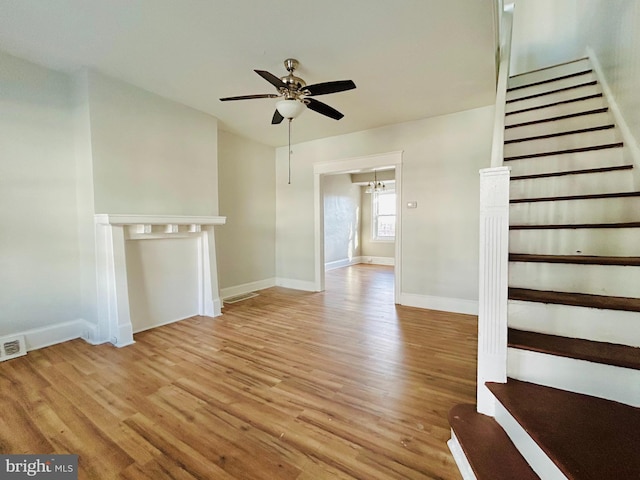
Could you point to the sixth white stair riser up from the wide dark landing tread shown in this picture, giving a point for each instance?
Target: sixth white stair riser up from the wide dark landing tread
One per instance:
(579, 184)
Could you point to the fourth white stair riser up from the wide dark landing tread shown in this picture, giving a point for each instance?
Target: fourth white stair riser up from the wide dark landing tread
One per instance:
(580, 241)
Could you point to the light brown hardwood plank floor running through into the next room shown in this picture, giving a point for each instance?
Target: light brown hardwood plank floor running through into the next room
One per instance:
(288, 385)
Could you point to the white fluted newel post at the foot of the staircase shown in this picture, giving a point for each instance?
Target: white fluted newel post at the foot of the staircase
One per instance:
(494, 257)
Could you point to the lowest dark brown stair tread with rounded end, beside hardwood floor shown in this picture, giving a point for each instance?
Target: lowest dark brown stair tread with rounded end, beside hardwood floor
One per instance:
(488, 448)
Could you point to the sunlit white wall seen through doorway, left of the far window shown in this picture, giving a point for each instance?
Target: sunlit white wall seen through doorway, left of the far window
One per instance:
(342, 216)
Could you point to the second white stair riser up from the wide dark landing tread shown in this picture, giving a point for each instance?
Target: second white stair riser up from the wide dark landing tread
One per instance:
(611, 326)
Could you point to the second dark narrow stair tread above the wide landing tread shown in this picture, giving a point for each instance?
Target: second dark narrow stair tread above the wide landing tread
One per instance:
(575, 299)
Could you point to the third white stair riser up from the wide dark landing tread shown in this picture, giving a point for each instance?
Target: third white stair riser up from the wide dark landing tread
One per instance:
(610, 280)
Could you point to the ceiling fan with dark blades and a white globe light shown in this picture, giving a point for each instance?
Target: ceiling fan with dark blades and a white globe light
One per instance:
(297, 95)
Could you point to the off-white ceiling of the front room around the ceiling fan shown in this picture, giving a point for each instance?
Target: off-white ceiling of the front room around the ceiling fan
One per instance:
(410, 59)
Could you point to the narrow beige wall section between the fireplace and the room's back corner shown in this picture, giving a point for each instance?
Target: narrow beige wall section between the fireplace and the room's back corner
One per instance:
(246, 243)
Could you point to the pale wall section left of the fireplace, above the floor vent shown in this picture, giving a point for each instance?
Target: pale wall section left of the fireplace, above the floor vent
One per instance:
(39, 252)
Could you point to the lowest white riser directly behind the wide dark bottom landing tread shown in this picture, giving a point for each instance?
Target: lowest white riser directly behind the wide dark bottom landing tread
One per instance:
(596, 379)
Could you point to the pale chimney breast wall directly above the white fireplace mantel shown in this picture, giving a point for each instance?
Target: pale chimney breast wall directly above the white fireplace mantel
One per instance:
(150, 155)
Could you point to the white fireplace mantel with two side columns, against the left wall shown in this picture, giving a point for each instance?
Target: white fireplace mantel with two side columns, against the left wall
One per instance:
(112, 233)
